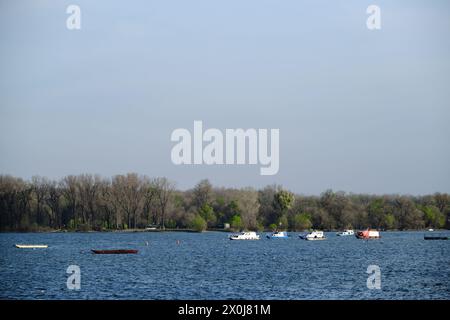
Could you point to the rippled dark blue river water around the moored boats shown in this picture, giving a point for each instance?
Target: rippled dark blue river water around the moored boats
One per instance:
(209, 266)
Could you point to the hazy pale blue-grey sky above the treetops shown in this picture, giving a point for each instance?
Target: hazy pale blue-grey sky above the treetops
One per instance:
(359, 110)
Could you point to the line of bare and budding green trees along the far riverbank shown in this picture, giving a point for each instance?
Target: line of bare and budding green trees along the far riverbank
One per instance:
(90, 202)
